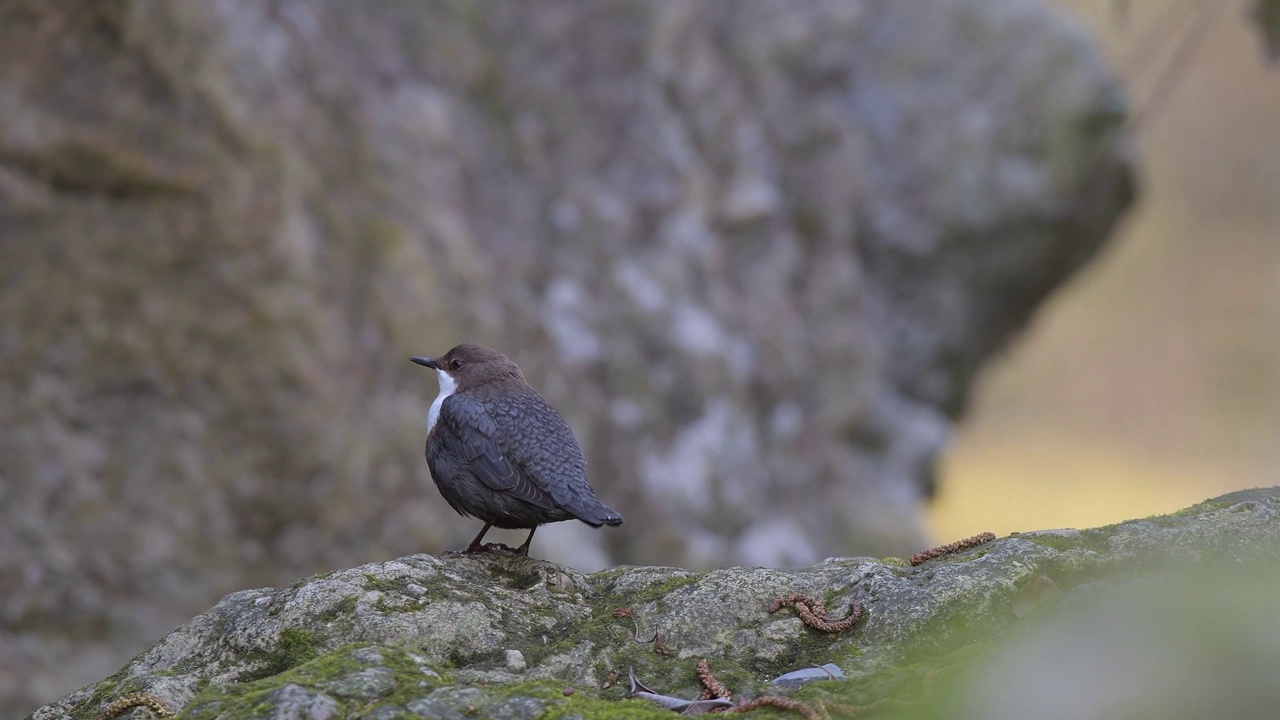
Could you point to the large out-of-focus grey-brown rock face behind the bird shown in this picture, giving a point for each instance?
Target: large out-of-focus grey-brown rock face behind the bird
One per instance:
(753, 253)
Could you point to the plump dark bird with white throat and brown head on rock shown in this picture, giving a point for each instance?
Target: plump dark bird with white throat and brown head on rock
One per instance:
(500, 453)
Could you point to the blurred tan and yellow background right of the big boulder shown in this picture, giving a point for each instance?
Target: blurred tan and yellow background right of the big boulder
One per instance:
(1153, 380)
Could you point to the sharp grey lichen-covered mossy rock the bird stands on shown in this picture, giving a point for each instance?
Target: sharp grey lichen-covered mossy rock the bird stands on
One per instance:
(461, 645)
